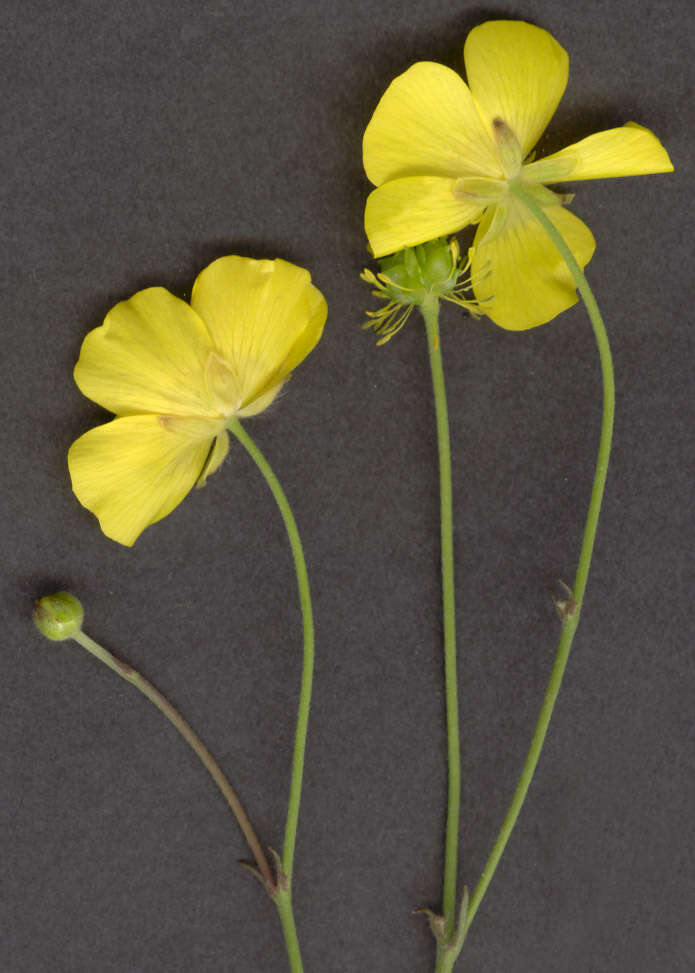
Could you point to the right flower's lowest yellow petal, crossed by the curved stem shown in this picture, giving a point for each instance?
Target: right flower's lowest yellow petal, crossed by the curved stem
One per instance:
(520, 272)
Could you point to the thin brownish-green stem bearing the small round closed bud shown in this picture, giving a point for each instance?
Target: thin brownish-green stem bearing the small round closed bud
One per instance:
(132, 676)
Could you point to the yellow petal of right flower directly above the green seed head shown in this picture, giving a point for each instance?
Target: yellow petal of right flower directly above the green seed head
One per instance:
(405, 212)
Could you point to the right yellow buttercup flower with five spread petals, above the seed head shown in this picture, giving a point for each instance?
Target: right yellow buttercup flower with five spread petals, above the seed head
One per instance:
(443, 153)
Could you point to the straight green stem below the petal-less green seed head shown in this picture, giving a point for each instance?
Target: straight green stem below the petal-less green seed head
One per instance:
(430, 312)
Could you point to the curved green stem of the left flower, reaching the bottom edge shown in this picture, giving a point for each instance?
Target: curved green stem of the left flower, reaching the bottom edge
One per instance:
(283, 901)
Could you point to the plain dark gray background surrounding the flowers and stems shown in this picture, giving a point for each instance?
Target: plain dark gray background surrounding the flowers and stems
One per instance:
(142, 141)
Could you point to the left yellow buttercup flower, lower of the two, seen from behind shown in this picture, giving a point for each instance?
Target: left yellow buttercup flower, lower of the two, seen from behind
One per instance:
(175, 373)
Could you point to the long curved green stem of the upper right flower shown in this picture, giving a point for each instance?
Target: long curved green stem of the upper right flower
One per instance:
(573, 608)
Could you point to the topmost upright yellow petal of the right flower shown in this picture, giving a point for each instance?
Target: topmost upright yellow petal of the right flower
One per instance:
(516, 72)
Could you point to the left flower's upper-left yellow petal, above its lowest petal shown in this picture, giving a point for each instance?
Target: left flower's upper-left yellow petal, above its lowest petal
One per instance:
(148, 356)
